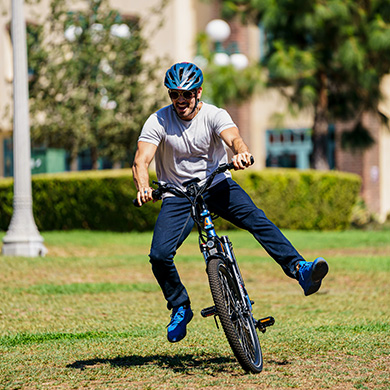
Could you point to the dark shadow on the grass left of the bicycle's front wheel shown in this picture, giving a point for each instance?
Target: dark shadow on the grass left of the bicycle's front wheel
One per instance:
(177, 363)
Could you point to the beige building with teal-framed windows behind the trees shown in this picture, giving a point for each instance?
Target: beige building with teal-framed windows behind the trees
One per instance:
(183, 20)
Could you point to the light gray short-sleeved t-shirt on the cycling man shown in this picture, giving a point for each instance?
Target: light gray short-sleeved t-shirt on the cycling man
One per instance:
(187, 149)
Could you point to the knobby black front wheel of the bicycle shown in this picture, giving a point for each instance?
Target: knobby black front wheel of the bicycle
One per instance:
(238, 327)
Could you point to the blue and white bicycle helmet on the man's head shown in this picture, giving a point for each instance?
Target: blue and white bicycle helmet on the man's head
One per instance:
(183, 75)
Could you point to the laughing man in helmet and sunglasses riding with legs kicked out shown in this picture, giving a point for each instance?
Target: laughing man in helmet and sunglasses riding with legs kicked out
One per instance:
(187, 140)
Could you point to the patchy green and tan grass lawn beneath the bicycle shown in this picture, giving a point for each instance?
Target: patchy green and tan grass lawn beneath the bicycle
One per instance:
(90, 316)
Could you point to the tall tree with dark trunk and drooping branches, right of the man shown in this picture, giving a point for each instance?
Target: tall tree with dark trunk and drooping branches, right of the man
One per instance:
(327, 54)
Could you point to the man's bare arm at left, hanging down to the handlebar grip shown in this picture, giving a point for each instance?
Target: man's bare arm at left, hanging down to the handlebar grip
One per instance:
(143, 157)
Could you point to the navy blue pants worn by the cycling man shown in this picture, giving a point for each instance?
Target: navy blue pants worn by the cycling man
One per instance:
(232, 203)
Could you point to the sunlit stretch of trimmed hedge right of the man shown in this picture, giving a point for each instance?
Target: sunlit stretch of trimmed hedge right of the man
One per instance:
(307, 200)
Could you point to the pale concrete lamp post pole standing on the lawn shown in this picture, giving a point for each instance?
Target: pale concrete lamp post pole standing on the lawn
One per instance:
(22, 238)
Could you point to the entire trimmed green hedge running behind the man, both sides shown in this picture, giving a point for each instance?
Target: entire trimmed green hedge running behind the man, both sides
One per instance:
(102, 200)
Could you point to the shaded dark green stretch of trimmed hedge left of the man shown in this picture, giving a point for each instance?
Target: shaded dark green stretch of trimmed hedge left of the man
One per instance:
(96, 200)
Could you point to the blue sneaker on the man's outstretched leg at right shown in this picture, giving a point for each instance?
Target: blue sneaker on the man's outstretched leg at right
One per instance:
(310, 275)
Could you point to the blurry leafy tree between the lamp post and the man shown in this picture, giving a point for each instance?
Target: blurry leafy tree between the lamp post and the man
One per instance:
(89, 83)
